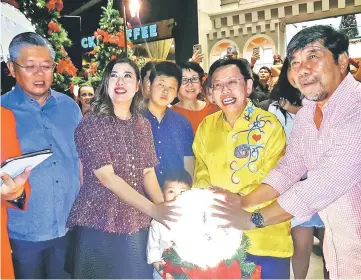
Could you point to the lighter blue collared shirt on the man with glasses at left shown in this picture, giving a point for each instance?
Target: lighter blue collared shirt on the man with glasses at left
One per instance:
(54, 183)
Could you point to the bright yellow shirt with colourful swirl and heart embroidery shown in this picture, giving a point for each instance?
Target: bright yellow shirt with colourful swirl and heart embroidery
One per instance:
(238, 159)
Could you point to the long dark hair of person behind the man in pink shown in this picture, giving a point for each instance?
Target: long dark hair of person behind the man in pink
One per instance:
(284, 89)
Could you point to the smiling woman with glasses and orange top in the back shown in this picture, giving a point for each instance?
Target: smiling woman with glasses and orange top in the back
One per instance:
(189, 105)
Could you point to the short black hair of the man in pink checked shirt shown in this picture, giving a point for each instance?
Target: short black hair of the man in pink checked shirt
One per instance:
(336, 42)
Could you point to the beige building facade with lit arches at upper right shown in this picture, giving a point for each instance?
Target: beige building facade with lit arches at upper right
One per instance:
(248, 24)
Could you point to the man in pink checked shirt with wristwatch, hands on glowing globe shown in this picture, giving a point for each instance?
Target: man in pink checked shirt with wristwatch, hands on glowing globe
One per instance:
(326, 143)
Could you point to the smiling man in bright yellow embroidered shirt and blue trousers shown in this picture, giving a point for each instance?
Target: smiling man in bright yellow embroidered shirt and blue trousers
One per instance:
(235, 149)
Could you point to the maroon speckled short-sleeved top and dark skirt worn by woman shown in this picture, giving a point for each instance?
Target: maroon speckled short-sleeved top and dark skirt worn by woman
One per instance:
(109, 234)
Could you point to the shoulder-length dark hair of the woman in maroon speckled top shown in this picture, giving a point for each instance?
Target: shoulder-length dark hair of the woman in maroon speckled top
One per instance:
(103, 105)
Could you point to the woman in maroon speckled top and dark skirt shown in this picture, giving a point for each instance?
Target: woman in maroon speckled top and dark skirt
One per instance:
(111, 216)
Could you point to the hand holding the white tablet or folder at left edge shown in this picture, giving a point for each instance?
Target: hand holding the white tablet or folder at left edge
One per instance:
(12, 188)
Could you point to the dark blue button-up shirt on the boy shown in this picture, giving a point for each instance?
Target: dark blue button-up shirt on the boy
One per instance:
(173, 139)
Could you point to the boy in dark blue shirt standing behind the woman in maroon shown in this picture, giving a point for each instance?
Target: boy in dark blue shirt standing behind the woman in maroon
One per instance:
(172, 133)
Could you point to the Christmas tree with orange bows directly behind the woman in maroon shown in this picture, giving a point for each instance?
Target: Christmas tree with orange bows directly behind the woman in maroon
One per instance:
(111, 44)
